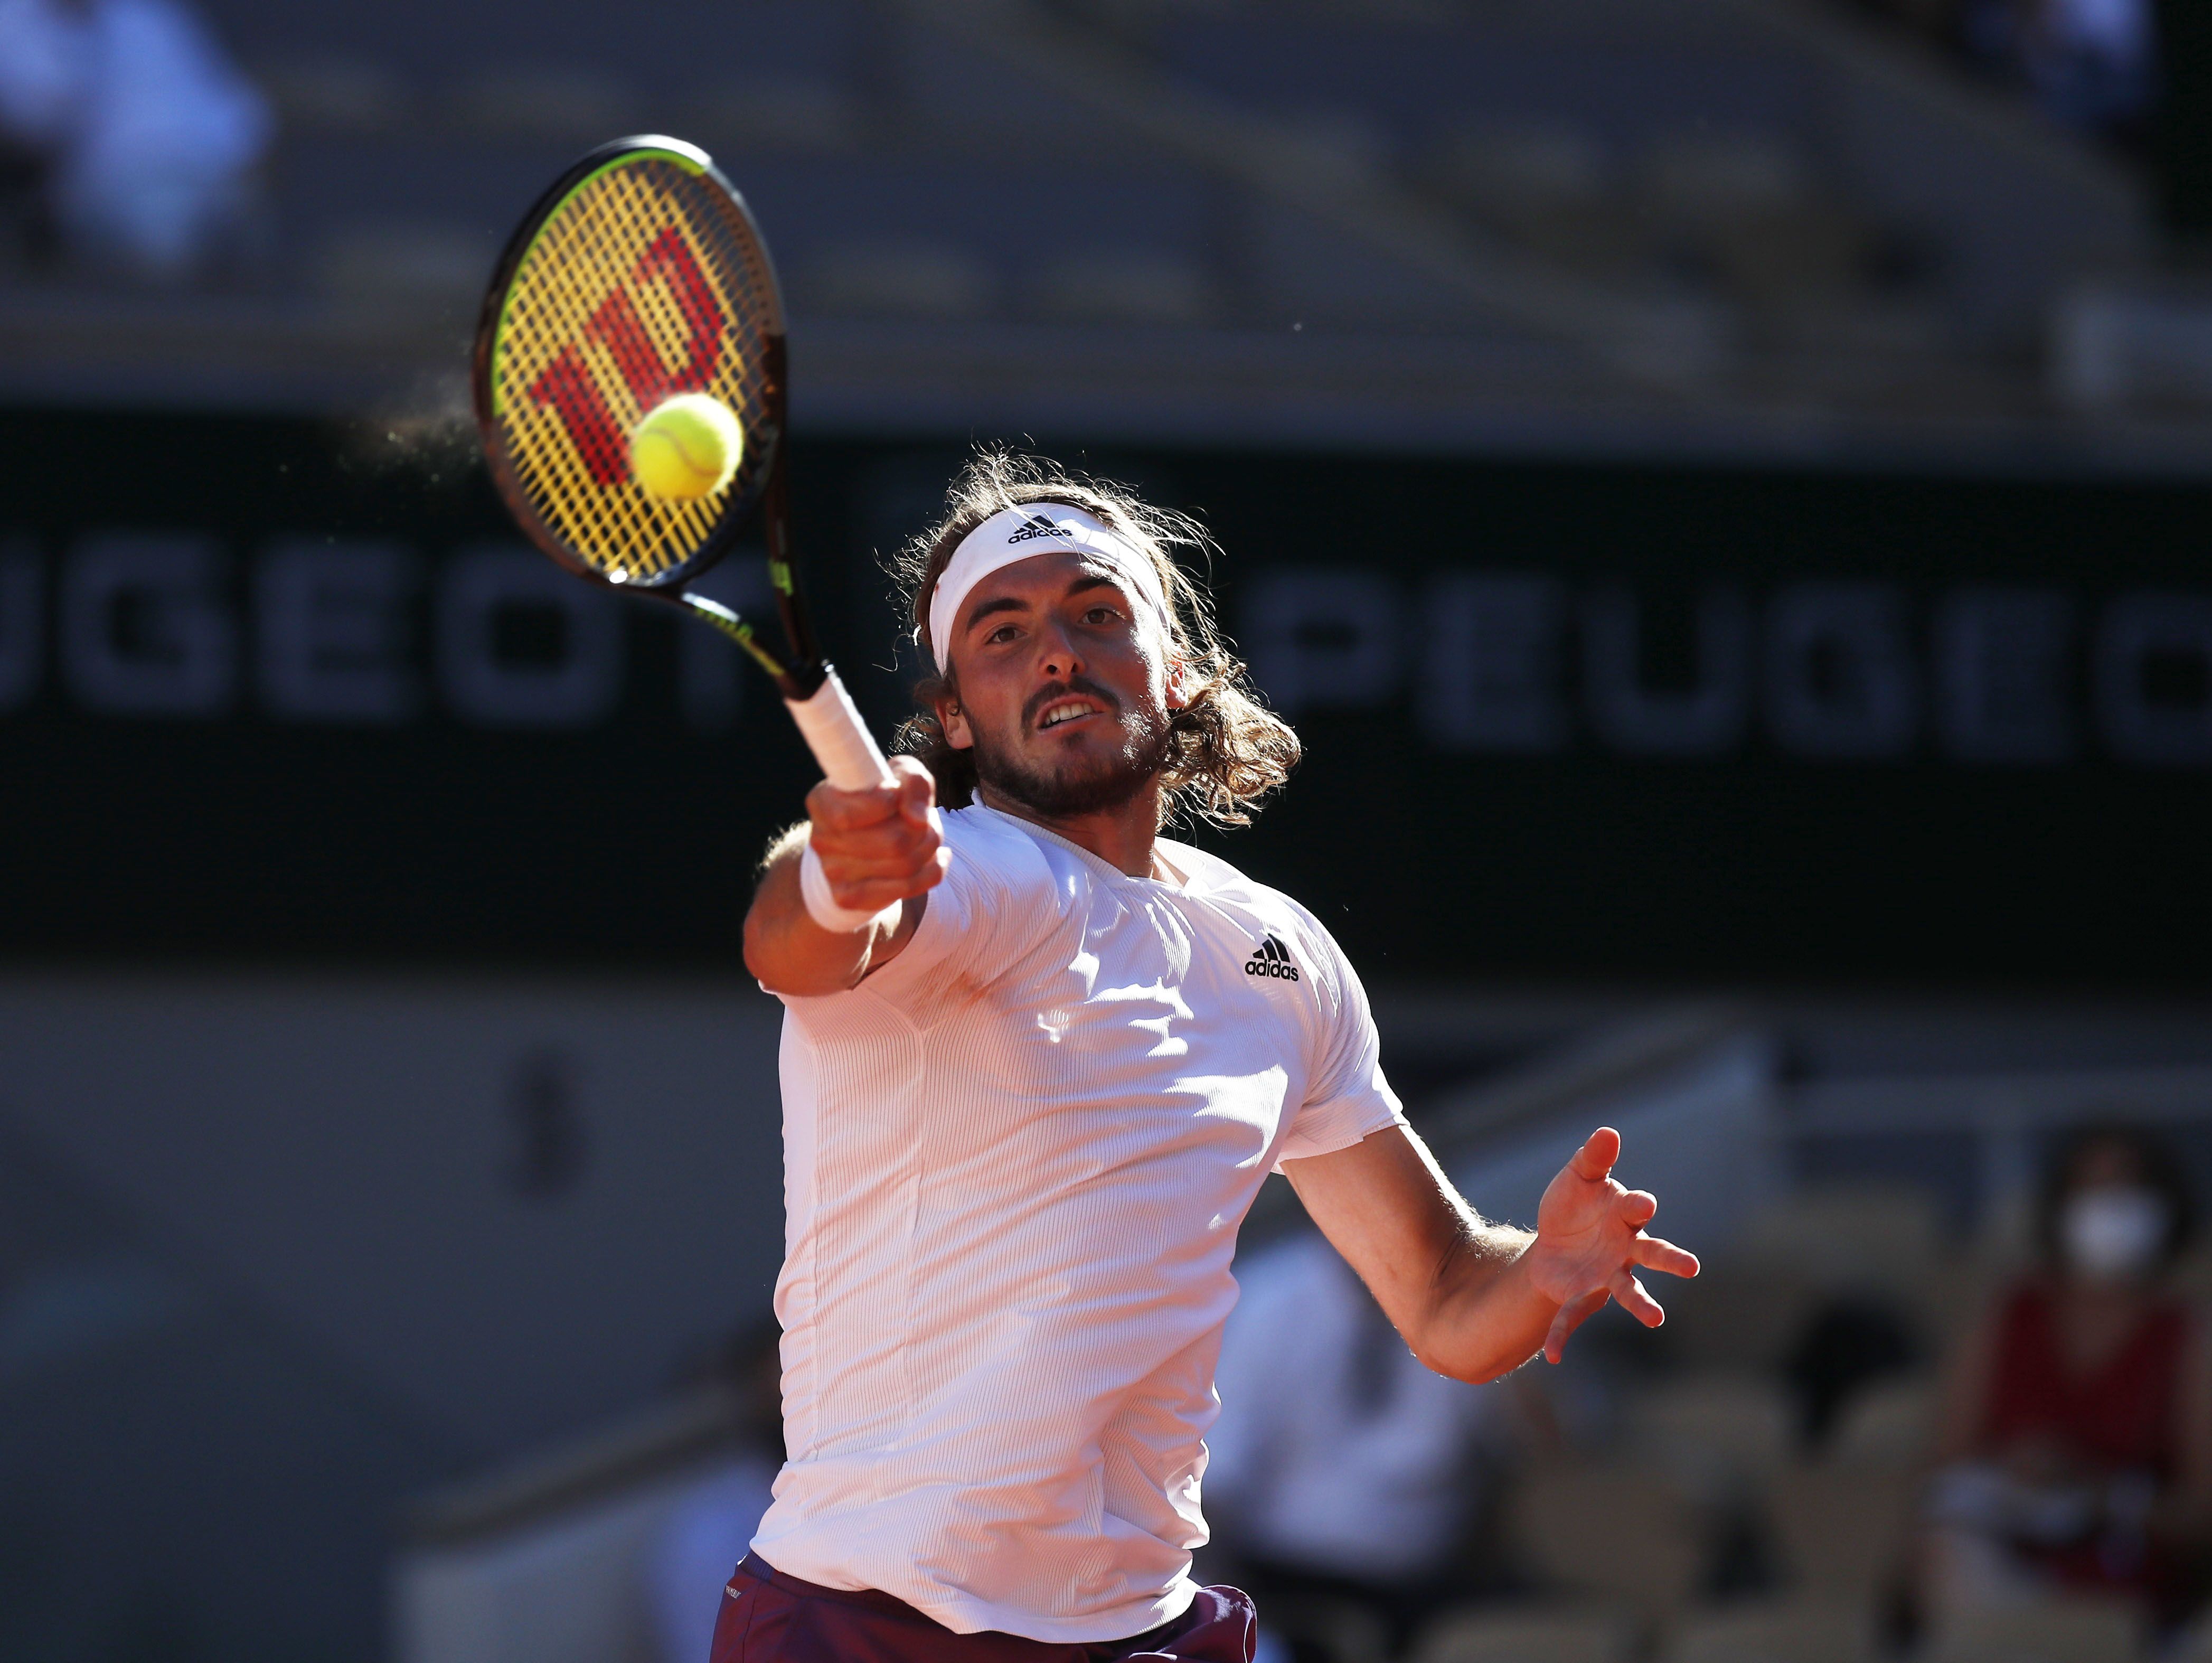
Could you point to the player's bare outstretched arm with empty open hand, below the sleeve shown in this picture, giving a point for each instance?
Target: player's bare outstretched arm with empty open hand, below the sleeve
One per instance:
(1472, 1299)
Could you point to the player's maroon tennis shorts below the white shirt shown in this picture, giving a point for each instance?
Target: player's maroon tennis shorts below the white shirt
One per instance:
(769, 1618)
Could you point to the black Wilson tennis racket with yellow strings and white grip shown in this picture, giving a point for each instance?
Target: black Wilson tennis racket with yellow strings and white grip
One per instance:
(636, 278)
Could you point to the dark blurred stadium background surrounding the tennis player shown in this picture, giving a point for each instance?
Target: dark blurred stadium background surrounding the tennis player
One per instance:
(1722, 488)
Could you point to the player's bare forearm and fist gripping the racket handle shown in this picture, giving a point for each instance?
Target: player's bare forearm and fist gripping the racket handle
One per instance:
(881, 848)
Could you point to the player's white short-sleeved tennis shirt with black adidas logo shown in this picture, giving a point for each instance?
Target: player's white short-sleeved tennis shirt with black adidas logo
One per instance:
(1016, 1160)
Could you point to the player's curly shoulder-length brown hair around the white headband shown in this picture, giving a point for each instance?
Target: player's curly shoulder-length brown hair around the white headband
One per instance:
(1224, 751)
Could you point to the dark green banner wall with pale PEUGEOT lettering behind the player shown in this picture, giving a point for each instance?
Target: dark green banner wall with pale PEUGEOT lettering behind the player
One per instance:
(625, 841)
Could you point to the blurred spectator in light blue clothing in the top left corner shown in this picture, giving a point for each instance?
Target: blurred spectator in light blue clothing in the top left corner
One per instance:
(145, 132)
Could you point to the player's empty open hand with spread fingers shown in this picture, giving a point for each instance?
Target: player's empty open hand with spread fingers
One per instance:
(1589, 1244)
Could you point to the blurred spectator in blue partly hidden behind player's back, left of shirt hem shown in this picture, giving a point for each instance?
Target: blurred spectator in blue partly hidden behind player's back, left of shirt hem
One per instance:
(691, 1558)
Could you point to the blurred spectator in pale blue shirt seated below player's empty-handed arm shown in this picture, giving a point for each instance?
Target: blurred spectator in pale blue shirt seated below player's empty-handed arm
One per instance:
(1342, 1469)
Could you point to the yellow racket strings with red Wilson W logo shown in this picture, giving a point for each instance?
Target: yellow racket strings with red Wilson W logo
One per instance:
(640, 286)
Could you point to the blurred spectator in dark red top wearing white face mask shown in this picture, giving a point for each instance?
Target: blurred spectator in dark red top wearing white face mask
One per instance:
(2078, 1439)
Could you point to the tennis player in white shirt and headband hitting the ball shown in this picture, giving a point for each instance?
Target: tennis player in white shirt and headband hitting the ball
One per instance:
(1036, 1063)
